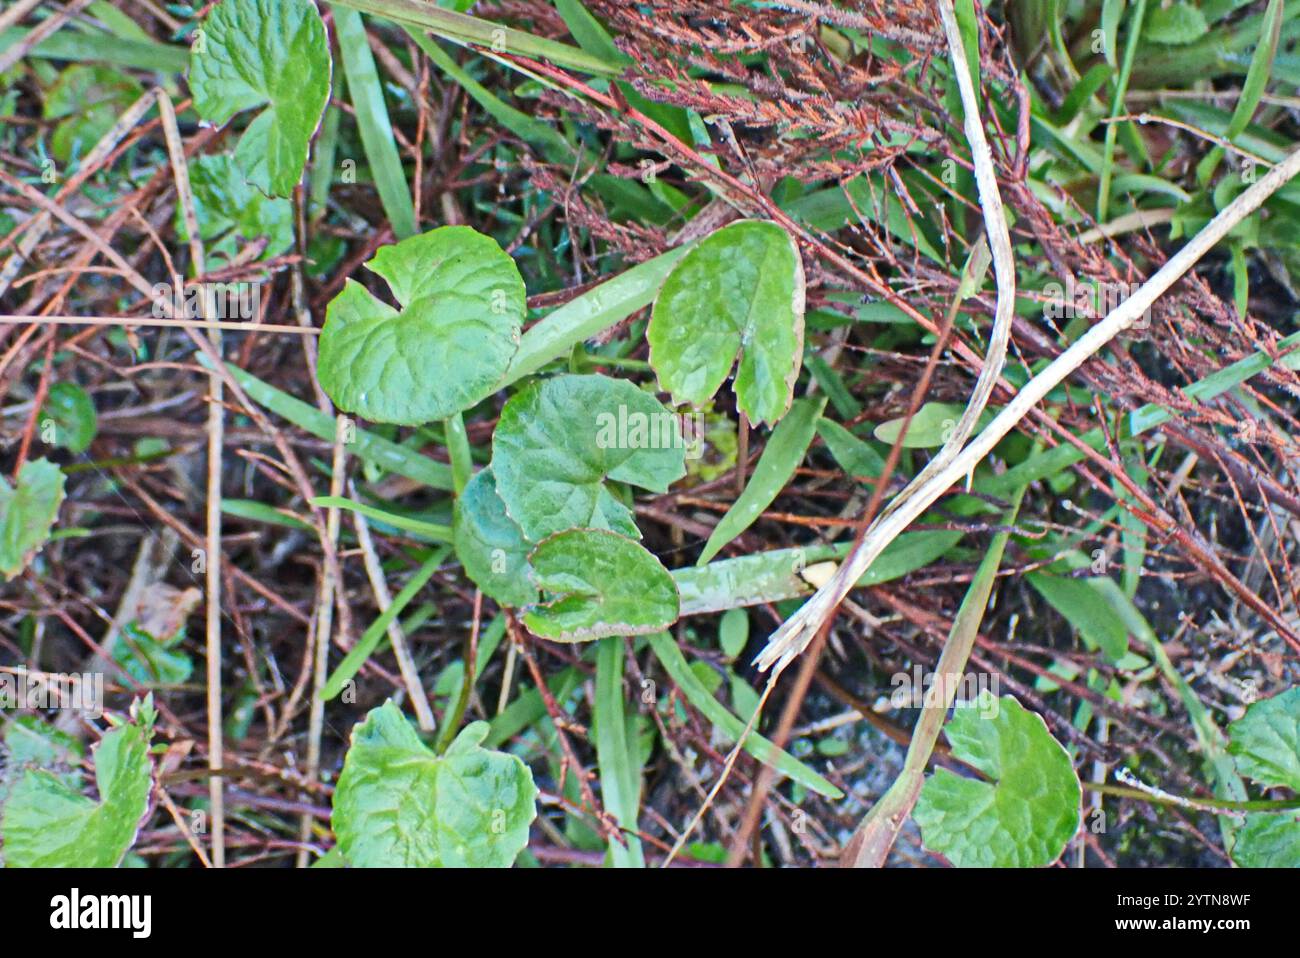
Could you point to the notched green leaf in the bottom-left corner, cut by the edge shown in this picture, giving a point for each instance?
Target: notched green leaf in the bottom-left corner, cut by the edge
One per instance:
(50, 825)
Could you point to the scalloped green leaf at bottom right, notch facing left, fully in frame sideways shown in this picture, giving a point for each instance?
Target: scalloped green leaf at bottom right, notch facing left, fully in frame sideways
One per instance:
(1022, 818)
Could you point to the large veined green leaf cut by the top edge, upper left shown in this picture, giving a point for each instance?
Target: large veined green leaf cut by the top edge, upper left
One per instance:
(265, 53)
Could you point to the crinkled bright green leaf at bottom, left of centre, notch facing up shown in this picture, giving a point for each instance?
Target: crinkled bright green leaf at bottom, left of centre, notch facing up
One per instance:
(400, 805)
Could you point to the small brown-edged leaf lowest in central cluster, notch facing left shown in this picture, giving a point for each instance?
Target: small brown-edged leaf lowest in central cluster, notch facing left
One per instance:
(600, 584)
